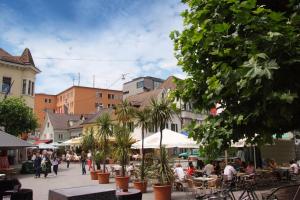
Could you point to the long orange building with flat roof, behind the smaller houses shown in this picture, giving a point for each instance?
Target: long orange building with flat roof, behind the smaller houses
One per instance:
(77, 100)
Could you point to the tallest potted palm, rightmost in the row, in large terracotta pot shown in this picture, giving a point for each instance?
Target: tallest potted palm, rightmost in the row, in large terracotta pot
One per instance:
(162, 112)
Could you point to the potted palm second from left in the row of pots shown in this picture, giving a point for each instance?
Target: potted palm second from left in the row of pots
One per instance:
(105, 131)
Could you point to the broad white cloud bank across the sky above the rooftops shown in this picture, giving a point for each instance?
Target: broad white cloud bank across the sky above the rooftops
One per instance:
(138, 46)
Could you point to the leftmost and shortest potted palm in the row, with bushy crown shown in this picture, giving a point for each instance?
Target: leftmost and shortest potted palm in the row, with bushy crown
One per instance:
(90, 143)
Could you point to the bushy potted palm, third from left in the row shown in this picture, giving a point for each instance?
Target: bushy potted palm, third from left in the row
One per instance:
(123, 142)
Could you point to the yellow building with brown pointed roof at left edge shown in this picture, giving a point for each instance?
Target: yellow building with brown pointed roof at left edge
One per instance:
(17, 76)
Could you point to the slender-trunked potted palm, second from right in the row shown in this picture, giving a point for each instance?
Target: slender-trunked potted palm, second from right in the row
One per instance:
(143, 120)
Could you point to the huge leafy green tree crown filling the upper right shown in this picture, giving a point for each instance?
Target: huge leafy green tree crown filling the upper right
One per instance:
(245, 56)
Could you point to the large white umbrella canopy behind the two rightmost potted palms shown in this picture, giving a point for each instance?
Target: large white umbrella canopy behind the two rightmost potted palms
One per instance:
(171, 139)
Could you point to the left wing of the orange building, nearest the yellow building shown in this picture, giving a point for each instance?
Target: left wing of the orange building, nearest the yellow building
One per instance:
(43, 102)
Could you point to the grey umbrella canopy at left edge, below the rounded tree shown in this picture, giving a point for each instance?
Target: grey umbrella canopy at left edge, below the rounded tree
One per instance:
(8, 141)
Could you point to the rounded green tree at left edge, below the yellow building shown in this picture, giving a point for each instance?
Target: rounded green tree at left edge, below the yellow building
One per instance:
(16, 117)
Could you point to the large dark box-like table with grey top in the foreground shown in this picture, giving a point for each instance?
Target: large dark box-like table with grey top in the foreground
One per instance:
(95, 192)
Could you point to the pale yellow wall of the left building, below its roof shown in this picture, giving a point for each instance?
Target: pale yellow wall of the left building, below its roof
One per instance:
(18, 73)
